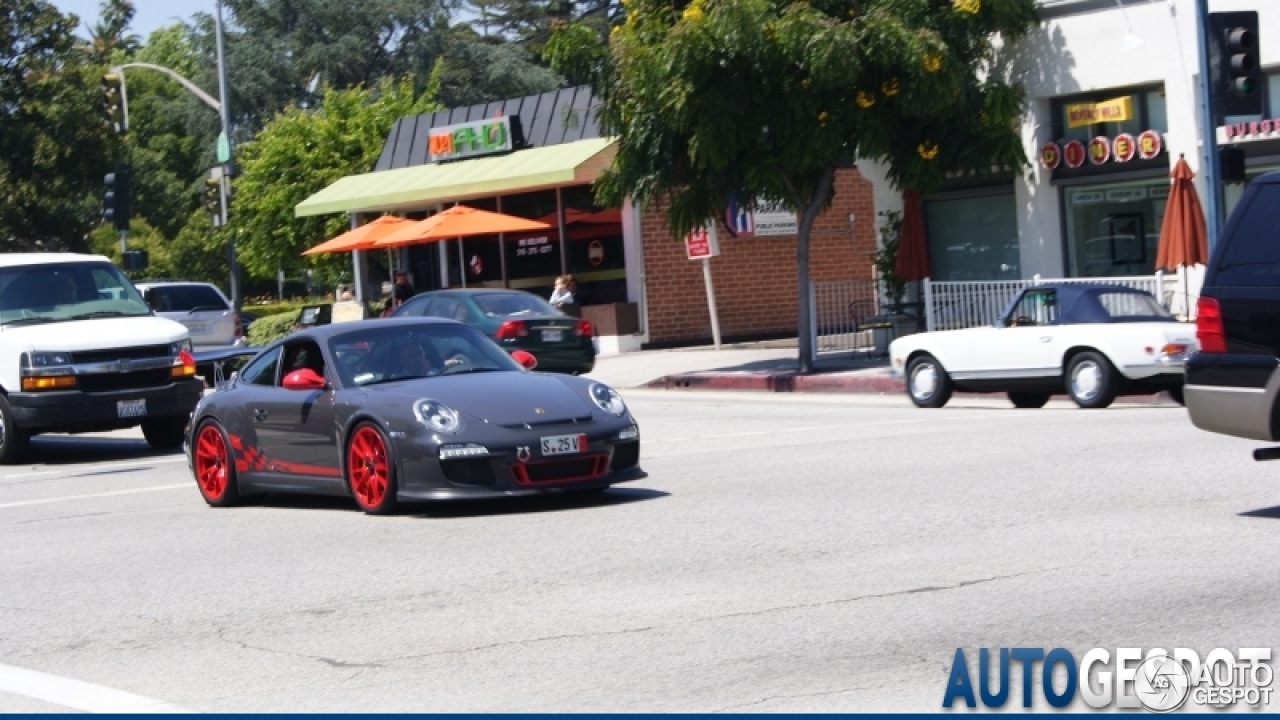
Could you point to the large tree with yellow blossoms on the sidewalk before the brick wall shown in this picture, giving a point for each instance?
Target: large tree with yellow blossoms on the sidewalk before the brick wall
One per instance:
(766, 99)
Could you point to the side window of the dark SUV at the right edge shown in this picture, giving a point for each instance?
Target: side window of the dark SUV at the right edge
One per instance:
(1252, 256)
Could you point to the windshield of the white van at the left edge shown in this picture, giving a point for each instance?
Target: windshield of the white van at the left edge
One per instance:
(57, 293)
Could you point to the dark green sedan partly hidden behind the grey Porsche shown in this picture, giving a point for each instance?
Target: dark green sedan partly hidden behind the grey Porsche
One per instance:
(515, 321)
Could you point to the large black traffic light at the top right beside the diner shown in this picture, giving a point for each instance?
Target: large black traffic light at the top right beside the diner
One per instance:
(1236, 75)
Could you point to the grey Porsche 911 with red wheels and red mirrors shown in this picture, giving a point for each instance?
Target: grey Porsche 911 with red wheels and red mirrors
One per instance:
(404, 411)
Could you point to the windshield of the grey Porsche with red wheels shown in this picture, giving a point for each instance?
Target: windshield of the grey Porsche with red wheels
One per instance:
(381, 354)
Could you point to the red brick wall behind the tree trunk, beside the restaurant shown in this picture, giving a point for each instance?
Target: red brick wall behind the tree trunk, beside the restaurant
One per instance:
(755, 280)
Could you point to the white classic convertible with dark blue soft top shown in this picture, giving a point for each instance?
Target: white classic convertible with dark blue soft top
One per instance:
(1091, 341)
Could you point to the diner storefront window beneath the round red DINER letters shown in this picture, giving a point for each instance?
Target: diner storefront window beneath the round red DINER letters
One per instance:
(1113, 229)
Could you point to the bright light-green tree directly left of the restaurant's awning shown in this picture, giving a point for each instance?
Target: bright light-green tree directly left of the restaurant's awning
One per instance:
(303, 152)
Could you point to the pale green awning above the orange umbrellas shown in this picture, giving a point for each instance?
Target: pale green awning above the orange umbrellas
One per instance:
(572, 163)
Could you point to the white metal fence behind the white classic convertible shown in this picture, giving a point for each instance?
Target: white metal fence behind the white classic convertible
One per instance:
(956, 306)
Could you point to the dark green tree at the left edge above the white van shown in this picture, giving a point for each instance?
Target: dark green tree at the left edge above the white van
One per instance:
(56, 144)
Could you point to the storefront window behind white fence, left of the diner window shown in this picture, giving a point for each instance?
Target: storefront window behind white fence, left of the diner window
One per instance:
(973, 239)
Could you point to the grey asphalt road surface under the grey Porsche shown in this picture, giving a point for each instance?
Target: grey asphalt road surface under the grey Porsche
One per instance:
(785, 554)
